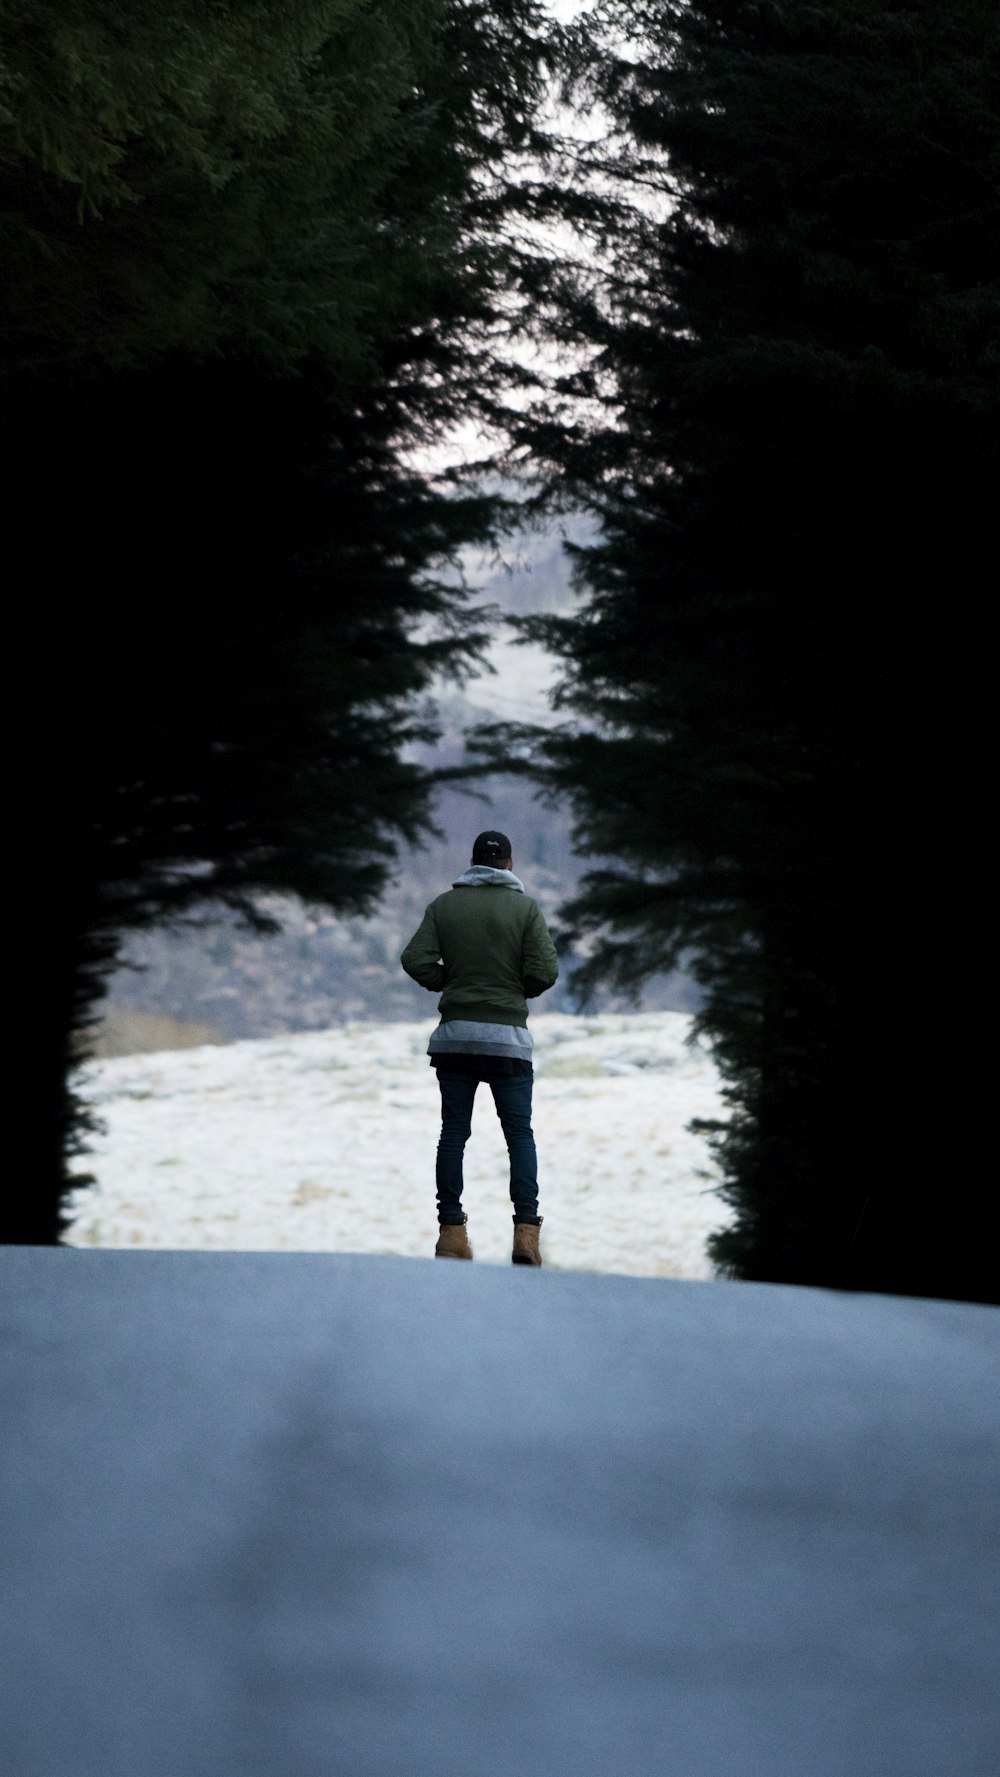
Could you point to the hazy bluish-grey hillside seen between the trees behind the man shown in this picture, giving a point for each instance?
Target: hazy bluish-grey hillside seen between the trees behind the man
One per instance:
(216, 982)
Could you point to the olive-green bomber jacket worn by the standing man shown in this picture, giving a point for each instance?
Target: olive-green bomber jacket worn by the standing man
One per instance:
(486, 948)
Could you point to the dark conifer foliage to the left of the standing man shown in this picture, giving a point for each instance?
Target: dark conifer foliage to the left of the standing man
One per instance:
(253, 255)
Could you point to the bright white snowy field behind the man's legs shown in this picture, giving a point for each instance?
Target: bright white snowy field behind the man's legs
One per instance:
(326, 1143)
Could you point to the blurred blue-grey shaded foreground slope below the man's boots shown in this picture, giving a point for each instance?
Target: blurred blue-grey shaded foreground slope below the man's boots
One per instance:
(308, 1515)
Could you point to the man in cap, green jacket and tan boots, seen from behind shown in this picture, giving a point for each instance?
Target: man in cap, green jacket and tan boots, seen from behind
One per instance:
(486, 948)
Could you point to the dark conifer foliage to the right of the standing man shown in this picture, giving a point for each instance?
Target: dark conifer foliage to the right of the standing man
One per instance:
(795, 365)
